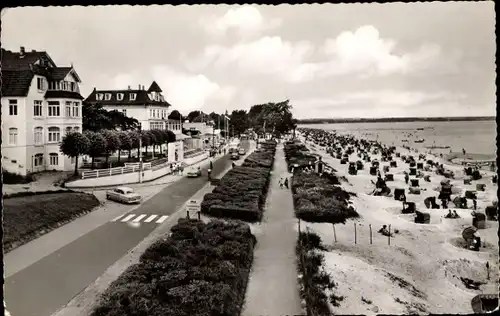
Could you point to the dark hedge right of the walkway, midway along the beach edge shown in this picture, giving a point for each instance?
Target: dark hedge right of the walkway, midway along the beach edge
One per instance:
(317, 198)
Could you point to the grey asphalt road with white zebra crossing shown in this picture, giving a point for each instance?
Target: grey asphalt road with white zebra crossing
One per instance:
(45, 286)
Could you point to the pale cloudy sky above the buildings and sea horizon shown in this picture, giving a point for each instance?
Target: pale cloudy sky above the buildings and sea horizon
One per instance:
(329, 60)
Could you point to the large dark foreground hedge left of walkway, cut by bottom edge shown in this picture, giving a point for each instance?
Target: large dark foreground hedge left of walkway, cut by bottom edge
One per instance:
(200, 269)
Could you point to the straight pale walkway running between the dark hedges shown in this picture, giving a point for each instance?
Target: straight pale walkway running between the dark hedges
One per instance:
(273, 287)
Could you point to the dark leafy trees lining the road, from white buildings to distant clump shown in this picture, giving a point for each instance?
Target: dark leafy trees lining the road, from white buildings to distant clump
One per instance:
(105, 132)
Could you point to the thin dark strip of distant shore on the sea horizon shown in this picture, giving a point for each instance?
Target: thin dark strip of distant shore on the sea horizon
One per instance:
(395, 119)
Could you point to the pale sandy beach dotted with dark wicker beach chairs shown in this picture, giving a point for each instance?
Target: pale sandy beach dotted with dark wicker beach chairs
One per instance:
(421, 270)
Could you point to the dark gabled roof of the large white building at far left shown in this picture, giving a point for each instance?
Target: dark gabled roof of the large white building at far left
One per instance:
(19, 68)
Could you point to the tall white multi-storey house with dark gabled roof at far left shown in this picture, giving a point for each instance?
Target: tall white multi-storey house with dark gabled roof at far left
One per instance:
(40, 104)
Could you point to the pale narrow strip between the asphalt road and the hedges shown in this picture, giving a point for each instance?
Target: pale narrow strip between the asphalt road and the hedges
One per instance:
(84, 302)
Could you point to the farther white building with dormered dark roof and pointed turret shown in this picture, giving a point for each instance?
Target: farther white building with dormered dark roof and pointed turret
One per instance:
(148, 107)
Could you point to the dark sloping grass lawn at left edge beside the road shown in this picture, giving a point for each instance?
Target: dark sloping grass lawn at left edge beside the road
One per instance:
(24, 218)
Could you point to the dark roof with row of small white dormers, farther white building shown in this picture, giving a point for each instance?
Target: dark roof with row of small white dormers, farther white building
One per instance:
(141, 98)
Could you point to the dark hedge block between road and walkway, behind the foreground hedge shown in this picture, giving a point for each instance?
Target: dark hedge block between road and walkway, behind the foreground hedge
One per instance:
(242, 191)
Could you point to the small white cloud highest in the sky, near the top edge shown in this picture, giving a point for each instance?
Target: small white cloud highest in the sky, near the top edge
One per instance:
(245, 20)
